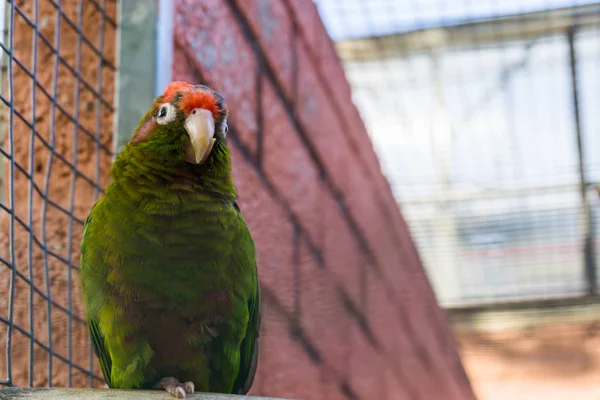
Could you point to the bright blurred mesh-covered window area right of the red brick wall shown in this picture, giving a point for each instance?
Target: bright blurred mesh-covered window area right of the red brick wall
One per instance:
(485, 116)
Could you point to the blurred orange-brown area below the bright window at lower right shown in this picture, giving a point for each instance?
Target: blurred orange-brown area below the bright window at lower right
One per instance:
(553, 361)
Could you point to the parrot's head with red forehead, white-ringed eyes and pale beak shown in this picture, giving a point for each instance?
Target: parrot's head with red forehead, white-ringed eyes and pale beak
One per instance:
(185, 125)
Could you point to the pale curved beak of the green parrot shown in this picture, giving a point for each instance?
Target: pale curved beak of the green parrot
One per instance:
(200, 127)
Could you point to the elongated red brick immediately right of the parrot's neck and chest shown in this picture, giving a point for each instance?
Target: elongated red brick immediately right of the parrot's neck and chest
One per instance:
(271, 229)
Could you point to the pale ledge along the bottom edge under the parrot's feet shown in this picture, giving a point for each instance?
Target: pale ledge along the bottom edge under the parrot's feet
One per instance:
(101, 394)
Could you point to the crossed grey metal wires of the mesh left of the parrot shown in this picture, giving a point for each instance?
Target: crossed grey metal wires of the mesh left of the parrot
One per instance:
(8, 178)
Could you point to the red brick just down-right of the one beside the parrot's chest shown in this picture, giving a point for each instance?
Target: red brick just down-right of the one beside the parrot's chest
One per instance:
(322, 313)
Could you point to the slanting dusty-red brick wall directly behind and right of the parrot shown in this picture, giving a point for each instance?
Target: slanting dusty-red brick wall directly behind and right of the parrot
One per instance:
(348, 311)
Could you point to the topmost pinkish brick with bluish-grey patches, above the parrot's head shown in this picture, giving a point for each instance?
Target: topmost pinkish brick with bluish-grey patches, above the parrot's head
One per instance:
(211, 38)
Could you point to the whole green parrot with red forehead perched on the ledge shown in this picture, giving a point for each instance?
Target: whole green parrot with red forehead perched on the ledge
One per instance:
(168, 266)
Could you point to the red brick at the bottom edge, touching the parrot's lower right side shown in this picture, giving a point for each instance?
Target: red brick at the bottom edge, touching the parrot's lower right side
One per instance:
(284, 368)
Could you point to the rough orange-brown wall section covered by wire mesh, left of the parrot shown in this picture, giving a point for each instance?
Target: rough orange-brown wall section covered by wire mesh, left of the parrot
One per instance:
(56, 93)
